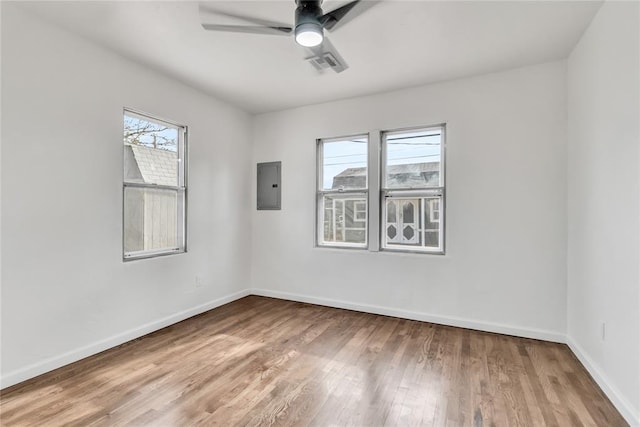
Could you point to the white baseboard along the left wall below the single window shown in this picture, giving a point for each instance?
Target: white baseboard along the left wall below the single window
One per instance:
(56, 362)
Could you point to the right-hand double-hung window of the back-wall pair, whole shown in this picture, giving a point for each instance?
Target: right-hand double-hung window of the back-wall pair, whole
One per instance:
(413, 190)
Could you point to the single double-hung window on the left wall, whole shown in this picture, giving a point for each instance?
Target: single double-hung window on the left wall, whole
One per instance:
(154, 187)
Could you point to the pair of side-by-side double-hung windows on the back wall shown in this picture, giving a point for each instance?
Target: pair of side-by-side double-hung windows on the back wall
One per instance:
(407, 201)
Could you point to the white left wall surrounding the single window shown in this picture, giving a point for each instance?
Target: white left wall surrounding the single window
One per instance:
(65, 291)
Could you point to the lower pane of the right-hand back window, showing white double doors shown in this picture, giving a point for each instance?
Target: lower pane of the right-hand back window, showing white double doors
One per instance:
(413, 222)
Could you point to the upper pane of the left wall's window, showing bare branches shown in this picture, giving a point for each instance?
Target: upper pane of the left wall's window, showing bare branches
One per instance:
(151, 152)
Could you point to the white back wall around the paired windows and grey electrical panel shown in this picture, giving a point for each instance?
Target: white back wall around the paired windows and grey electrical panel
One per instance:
(505, 267)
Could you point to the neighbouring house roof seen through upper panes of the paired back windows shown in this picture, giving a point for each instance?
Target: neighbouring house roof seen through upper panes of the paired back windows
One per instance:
(411, 175)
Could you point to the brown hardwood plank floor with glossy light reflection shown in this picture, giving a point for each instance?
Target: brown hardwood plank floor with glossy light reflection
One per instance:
(262, 361)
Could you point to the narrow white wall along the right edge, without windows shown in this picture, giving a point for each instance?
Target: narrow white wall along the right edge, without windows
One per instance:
(604, 203)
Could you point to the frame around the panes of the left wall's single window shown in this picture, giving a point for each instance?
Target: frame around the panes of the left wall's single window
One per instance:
(181, 189)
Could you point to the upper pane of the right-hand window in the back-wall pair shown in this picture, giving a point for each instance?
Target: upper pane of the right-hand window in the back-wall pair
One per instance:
(413, 159)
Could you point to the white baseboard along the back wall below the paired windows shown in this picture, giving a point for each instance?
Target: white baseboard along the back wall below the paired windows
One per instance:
(414, 315)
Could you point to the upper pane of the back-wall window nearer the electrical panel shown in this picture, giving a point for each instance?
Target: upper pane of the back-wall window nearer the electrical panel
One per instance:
(344, 164)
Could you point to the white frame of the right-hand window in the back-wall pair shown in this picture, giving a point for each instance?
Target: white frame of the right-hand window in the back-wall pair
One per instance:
(415, 192)
